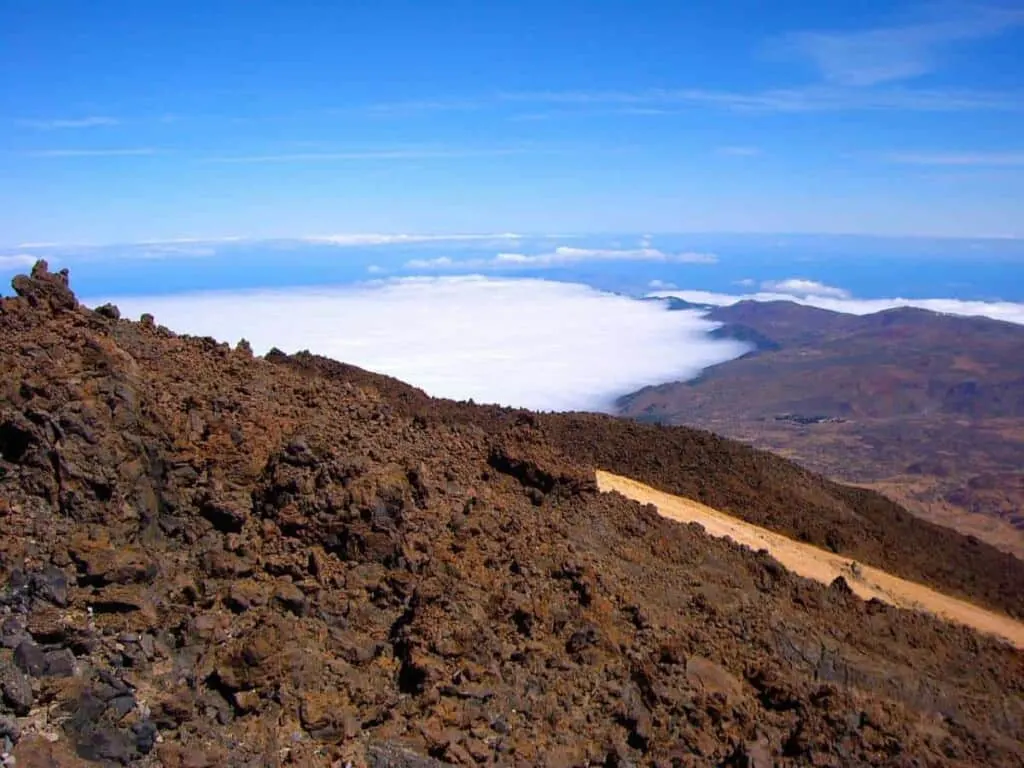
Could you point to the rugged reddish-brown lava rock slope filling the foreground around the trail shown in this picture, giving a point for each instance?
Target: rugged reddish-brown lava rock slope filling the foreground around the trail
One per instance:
(214, 560)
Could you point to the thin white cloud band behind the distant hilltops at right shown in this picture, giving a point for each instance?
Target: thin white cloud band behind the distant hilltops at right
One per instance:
(1001, 311)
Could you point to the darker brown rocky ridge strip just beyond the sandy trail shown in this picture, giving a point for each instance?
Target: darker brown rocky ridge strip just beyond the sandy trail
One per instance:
(726, 475)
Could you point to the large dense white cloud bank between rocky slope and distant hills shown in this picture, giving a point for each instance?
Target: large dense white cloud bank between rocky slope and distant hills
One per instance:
(466, 337)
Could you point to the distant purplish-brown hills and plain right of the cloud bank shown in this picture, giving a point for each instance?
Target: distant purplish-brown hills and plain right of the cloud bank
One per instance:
(927, 408)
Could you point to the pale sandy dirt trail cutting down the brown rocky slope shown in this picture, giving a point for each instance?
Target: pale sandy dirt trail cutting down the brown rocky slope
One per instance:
(813, 563)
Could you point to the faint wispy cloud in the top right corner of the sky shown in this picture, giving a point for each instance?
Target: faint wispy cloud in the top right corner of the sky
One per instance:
(887, 55)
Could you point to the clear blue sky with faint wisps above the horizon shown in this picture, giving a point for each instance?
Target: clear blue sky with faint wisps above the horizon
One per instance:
(123, 121)
